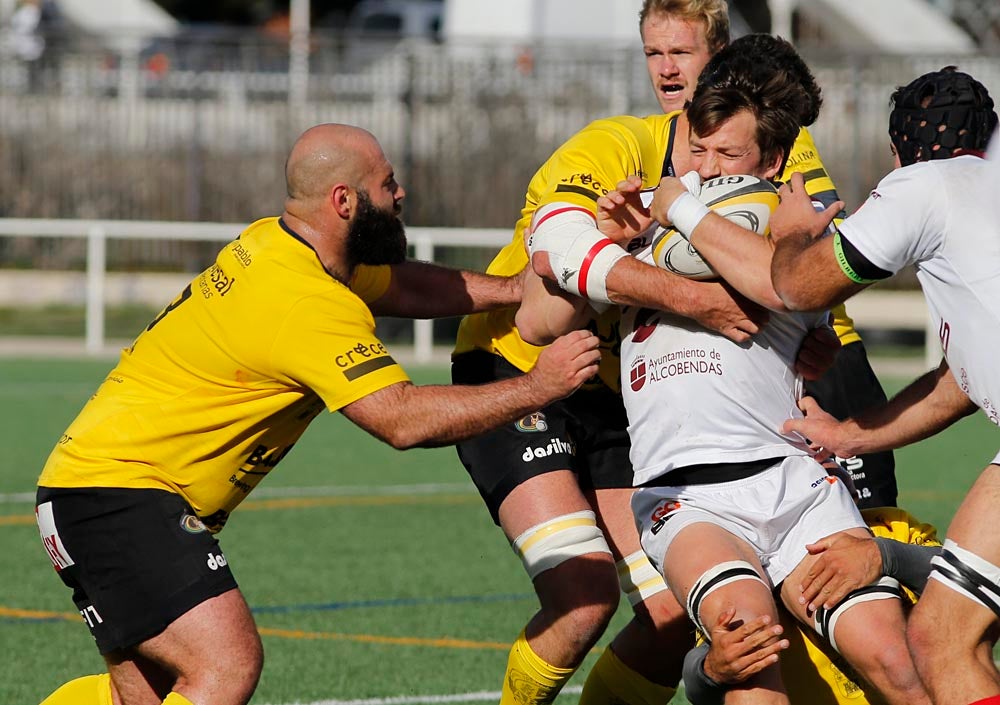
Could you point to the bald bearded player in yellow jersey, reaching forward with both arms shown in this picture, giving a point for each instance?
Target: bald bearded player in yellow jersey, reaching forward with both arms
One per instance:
(215, 392)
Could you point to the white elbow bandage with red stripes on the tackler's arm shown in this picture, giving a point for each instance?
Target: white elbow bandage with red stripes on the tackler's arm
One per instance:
(580, 256)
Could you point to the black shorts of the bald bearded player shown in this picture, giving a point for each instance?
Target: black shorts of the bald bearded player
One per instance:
(136, 559)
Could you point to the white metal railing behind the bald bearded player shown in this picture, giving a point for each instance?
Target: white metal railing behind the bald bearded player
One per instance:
(98, 232)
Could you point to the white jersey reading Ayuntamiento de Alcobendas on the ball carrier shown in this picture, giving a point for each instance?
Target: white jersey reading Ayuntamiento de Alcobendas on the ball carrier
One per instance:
(694, 396)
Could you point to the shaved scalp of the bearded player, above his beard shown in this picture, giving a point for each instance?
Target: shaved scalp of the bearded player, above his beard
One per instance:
(328, 154)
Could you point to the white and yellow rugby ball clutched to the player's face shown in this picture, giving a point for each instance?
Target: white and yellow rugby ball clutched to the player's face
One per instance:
(745, 200)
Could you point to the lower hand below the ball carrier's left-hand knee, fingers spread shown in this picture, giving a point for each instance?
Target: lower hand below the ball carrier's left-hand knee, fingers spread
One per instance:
(739, 651)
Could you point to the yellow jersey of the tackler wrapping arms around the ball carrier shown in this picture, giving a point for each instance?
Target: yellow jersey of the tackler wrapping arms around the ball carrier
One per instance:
(583, 169)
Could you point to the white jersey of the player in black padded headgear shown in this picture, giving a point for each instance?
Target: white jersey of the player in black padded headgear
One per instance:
(941, 217)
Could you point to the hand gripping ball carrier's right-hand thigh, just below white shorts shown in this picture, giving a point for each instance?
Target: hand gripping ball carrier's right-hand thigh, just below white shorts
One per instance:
(843, 563)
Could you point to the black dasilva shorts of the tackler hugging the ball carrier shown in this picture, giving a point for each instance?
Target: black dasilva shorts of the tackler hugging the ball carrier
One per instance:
(587, 433)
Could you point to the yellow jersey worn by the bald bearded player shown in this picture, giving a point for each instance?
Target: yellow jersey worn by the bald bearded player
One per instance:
(223, 382)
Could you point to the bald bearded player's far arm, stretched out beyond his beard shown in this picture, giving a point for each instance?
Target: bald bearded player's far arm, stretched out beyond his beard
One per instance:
(426, 290)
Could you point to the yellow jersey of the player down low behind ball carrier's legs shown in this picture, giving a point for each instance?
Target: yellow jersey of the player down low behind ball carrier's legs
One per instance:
(811, 670)
